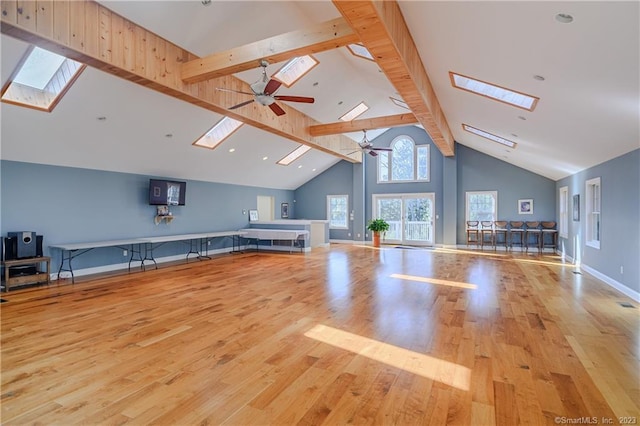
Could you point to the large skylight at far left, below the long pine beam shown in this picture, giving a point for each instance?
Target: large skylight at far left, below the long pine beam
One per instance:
(41, 79)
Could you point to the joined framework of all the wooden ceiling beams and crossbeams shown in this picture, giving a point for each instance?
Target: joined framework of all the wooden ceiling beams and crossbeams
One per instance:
(90, 33)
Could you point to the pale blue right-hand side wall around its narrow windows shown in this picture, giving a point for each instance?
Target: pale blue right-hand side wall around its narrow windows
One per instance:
(620, 220)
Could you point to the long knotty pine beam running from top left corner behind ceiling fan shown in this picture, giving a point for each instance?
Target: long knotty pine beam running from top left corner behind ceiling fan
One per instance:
(92, 34)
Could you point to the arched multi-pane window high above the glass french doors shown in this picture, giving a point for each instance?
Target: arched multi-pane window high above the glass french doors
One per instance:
(407, 162)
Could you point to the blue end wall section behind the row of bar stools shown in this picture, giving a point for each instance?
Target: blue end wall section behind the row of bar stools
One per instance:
(481, 172)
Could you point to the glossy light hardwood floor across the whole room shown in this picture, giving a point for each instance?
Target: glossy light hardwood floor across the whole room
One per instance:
(347, 334)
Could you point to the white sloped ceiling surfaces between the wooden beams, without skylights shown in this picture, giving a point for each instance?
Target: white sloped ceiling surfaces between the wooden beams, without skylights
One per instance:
(588, 111)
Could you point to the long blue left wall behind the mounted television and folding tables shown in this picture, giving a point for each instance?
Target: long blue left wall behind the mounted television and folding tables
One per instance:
(68, 205)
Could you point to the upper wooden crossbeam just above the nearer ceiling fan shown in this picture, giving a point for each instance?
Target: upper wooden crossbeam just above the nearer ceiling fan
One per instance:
(318, 38)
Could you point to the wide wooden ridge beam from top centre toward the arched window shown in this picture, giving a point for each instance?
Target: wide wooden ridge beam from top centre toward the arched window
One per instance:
(384, 32)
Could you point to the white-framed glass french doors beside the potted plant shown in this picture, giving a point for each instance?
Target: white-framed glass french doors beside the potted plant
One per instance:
(410, 217)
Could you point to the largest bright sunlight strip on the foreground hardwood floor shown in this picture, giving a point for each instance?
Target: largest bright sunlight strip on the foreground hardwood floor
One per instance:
(445, 372)
